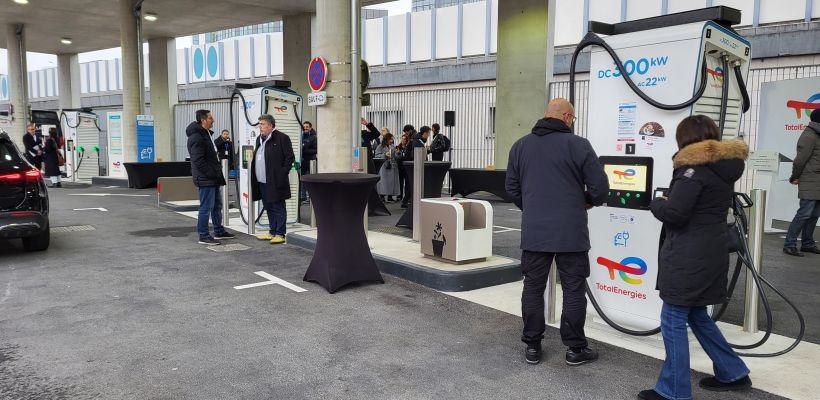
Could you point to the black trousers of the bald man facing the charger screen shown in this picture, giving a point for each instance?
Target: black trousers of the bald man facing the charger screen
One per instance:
(573, 269)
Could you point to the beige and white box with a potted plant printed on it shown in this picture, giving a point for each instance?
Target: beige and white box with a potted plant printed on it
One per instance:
(456, 229)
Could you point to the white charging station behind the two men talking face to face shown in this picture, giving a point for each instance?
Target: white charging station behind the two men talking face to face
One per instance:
(285, 106)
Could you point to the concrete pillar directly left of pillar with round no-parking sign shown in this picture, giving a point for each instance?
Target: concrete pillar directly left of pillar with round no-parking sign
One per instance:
(297, 54)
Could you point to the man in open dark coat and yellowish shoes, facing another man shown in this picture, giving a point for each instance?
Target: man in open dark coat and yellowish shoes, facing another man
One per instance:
(272, 161)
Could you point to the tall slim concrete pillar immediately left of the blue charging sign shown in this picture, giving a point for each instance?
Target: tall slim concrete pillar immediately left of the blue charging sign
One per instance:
(131, 49)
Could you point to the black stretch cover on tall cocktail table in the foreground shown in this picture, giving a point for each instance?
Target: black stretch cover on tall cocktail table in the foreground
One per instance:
(342, 255)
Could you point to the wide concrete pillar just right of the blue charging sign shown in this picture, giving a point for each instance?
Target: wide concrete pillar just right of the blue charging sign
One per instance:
(162, 66)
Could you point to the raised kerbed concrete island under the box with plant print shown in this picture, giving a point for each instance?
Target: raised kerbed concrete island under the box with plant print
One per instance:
(401, 257)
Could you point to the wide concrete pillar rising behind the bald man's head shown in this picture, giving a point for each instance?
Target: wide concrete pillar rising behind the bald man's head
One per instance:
(522, 73)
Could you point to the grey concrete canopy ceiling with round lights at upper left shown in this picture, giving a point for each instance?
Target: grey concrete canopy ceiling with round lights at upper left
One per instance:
(95, 24)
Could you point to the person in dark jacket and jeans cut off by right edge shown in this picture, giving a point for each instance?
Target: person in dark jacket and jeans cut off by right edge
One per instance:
(806, 174)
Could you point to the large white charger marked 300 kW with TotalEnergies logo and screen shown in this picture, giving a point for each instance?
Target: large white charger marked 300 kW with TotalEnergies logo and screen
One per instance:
(636, 141)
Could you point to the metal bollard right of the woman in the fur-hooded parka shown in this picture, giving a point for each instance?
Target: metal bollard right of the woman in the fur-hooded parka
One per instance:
(756, 224)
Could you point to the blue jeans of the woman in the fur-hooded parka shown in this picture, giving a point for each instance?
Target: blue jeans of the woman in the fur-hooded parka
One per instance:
(674, 381)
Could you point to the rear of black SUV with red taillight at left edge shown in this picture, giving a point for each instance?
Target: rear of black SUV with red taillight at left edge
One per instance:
(23, 199)
